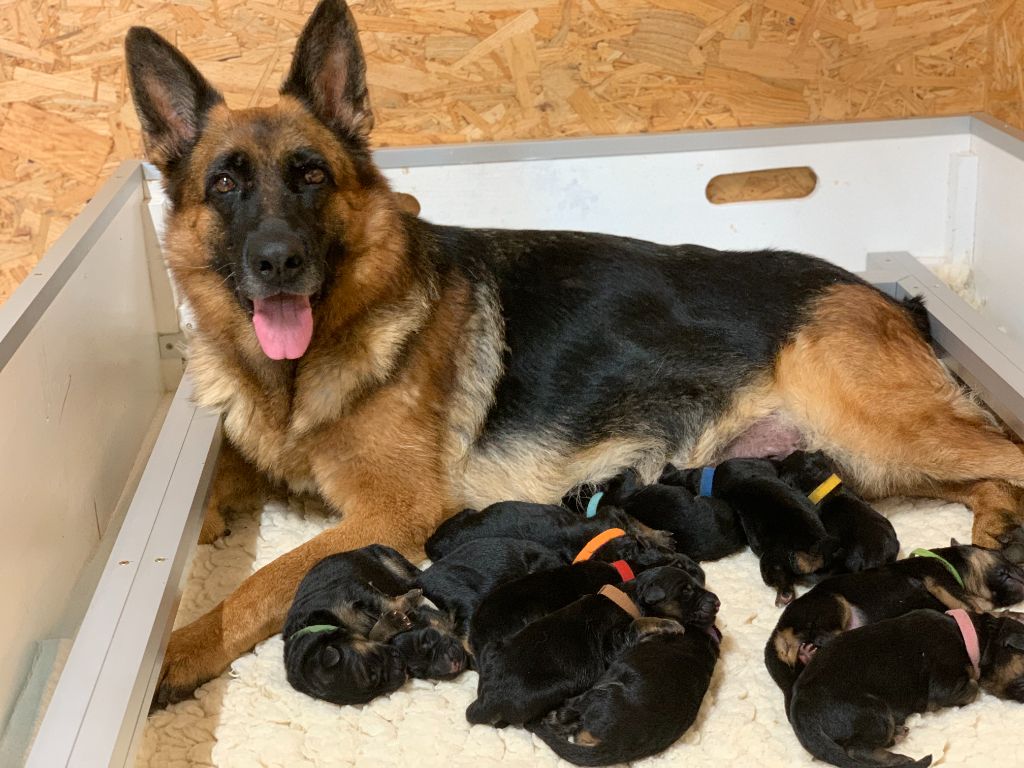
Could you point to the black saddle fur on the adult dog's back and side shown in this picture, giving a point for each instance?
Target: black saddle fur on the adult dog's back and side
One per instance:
(601, 294)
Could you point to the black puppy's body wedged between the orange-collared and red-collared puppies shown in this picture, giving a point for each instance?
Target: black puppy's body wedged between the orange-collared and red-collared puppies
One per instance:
(465, 576)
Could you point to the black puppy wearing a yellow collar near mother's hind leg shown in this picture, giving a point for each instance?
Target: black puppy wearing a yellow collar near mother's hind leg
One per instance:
(867, 538)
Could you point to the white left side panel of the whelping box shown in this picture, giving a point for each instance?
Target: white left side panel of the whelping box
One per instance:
(77, 400)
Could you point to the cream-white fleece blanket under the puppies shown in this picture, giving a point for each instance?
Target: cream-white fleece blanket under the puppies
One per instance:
(251, 717)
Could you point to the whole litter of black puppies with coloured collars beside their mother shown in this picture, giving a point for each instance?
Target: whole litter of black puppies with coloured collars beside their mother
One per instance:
(590, 625)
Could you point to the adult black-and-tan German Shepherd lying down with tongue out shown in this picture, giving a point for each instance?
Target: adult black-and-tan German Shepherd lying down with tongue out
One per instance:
(405, 371)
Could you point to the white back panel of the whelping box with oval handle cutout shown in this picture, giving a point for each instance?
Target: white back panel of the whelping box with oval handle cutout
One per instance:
(877, 195)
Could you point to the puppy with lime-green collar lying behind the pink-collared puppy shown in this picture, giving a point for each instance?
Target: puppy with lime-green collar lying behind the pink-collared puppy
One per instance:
(850, 601)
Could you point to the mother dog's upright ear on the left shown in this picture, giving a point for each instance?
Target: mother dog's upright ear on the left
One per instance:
(172, 98)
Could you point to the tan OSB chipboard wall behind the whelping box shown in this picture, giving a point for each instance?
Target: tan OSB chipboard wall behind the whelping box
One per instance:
(447, 71)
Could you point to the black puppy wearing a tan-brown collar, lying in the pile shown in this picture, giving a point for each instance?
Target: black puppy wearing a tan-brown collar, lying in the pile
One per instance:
(565, 653)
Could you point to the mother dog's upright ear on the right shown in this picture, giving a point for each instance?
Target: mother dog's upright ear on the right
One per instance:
(329, 73)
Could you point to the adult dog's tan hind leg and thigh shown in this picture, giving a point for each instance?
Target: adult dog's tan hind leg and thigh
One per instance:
(865, 387)
